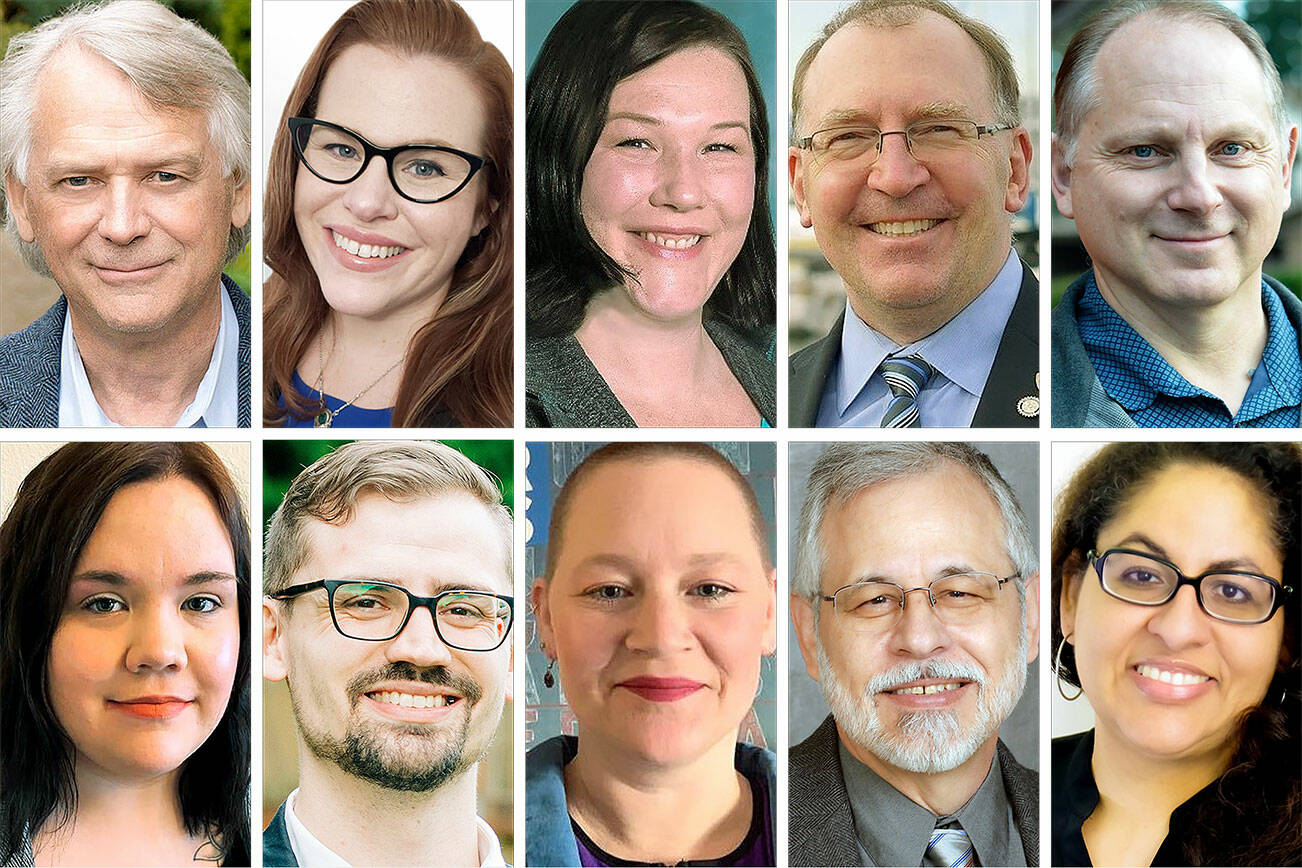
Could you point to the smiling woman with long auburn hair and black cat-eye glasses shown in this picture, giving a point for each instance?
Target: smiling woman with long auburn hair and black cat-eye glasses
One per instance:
(391, 296)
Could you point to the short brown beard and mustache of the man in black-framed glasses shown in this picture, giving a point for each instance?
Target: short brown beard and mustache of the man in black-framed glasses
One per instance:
(406, 758)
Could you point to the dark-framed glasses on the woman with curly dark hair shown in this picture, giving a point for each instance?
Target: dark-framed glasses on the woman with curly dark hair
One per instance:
(1226, 595)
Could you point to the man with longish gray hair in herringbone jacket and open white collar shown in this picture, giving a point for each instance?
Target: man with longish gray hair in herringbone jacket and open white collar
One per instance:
(124, 153)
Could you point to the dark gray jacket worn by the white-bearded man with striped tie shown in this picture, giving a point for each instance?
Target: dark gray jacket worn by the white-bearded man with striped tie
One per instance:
(822, 826)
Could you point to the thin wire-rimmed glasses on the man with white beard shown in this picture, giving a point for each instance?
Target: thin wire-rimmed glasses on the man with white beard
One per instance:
(962, 598)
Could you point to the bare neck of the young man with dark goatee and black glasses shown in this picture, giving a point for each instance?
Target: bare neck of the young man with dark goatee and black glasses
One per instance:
(372, 826)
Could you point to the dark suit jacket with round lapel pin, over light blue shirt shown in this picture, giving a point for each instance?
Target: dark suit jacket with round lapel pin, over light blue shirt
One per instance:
(1011, 378)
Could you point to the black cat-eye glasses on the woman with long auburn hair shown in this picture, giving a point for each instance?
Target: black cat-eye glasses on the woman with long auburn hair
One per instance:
(424, 174)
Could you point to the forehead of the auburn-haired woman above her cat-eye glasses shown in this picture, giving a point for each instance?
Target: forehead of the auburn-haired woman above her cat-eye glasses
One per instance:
(399, 100)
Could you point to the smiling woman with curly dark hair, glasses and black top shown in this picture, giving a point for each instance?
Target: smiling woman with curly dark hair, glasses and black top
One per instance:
(1196, 690)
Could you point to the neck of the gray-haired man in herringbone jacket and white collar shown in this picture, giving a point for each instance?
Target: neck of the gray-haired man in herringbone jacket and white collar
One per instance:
(149, 379)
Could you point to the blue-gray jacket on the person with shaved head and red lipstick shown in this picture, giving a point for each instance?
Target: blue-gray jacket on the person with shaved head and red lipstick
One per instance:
(549, 836)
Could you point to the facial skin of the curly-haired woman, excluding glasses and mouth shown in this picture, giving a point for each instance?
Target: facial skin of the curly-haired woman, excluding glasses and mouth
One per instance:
(1198, 517)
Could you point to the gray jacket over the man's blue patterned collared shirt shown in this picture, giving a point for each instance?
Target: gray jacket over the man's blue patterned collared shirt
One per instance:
(1079, 398)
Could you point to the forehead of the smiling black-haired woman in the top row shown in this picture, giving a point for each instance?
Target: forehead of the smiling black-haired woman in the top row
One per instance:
(695, 84)
